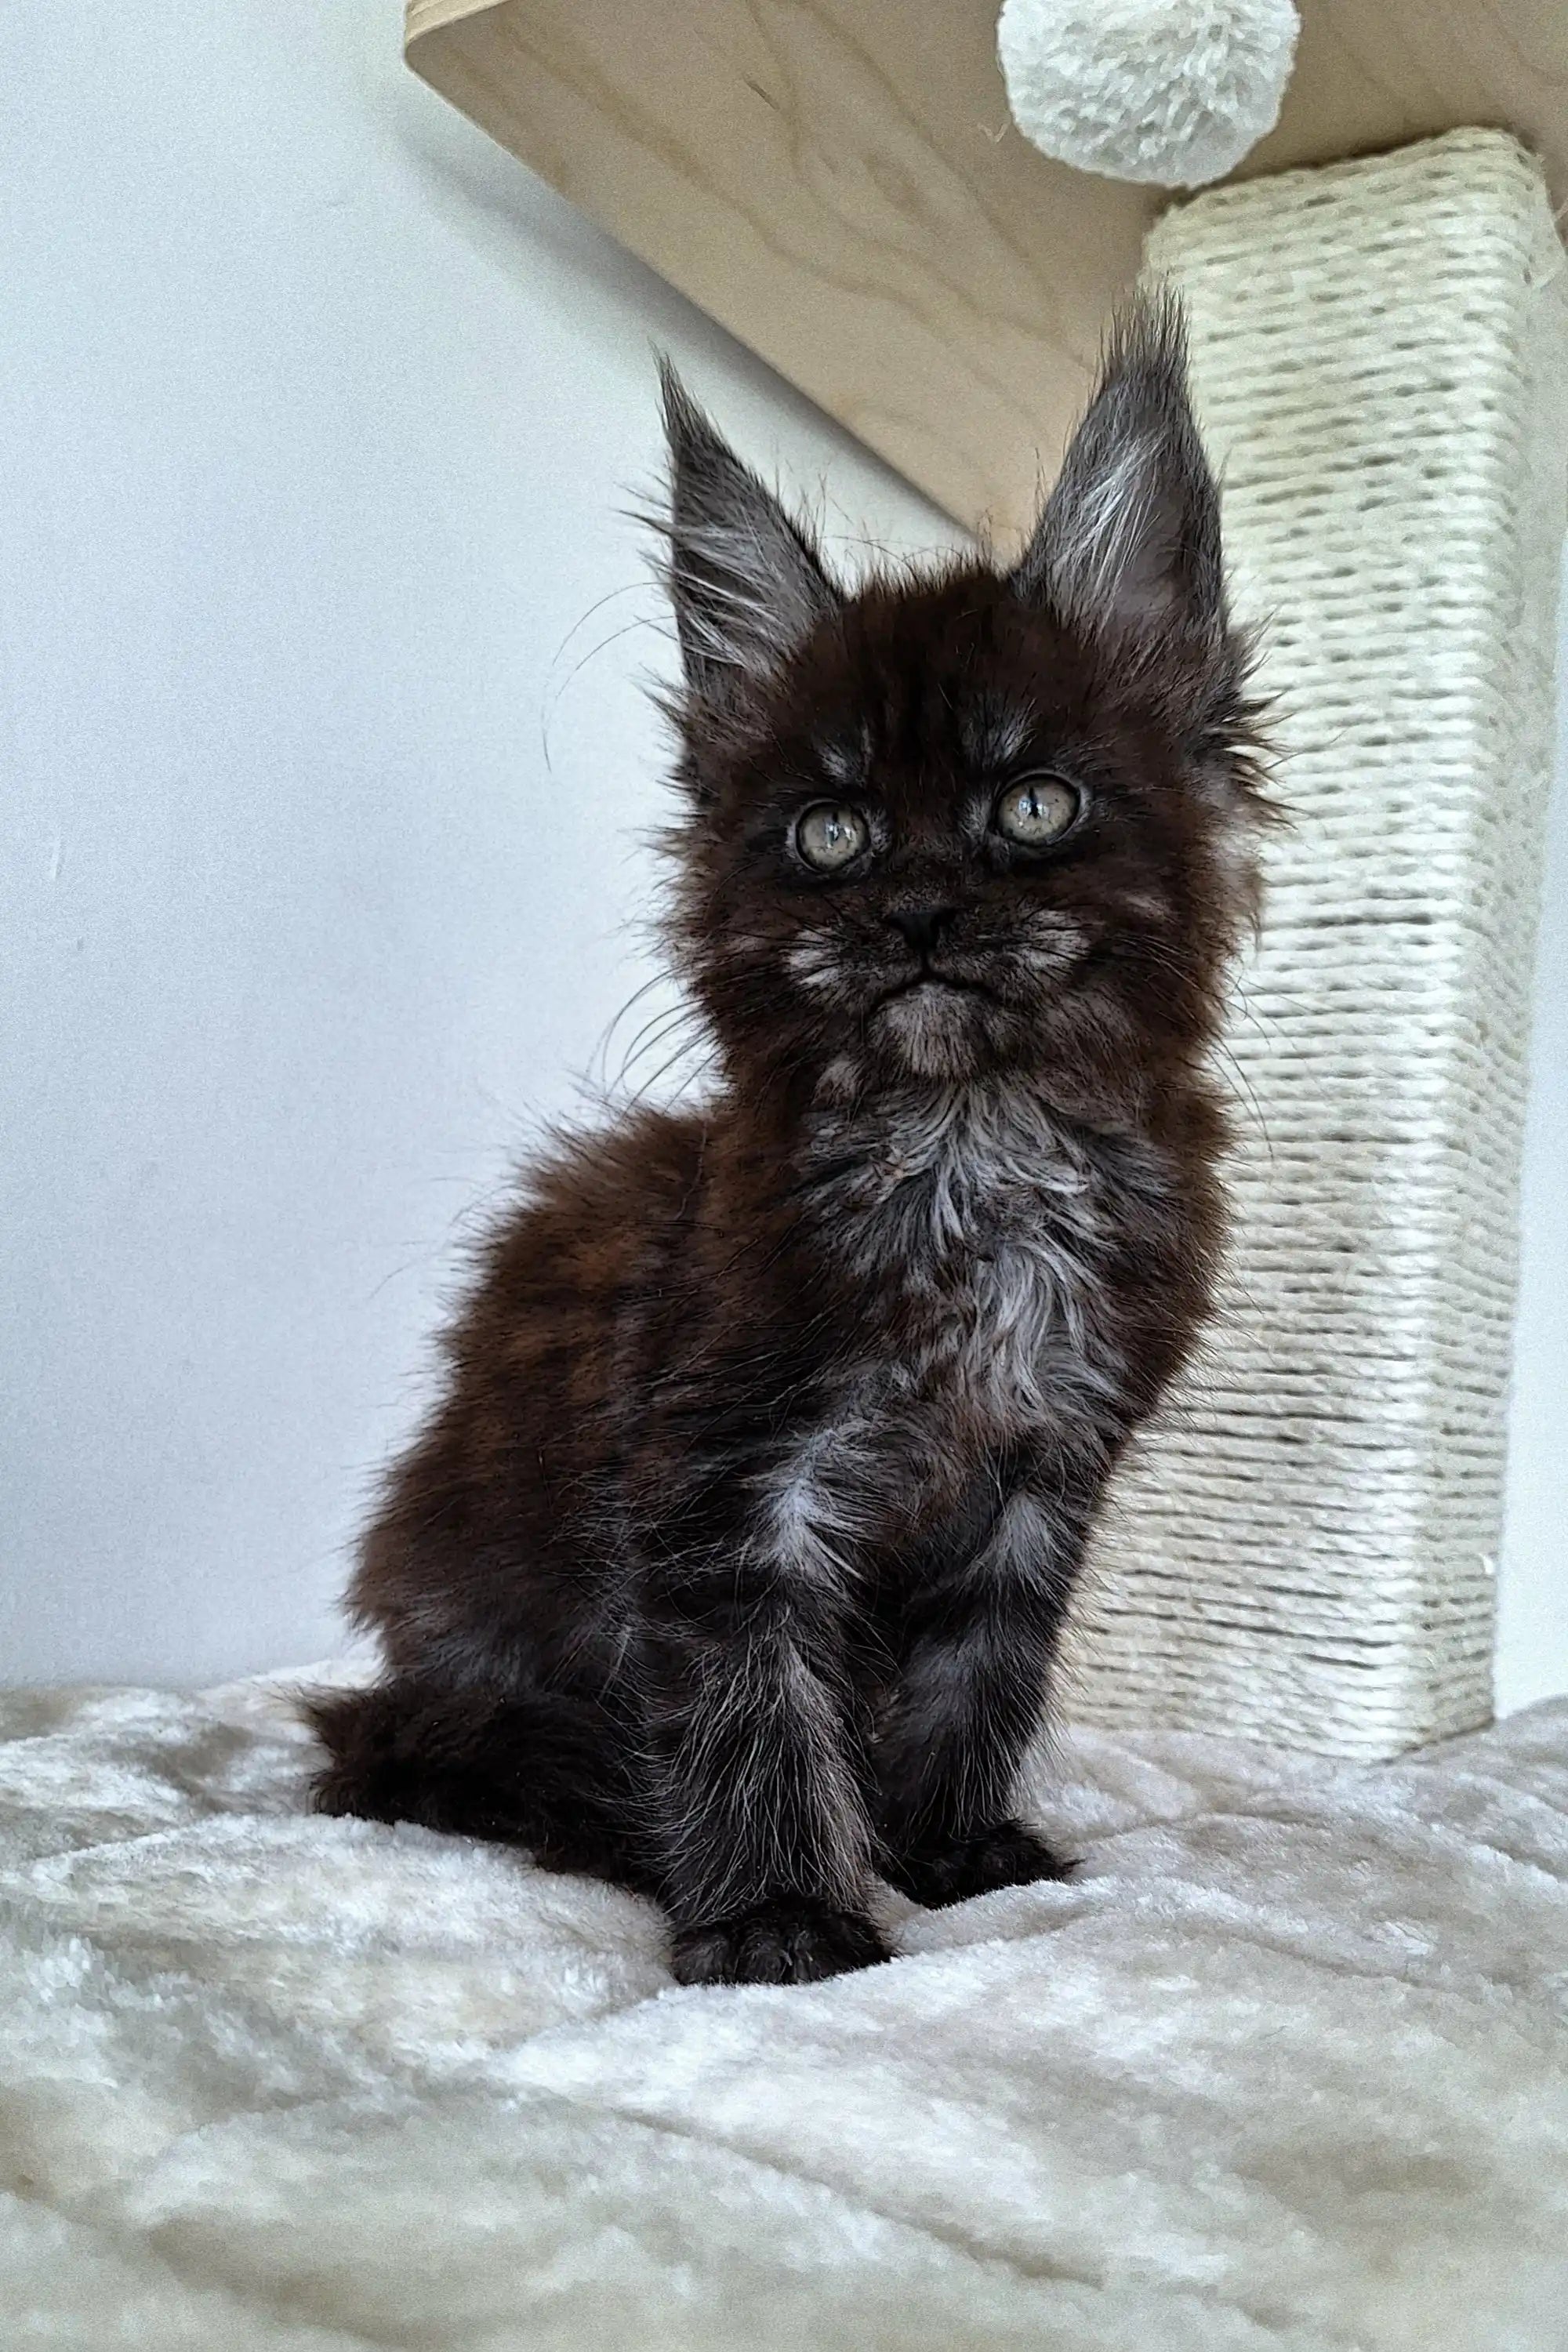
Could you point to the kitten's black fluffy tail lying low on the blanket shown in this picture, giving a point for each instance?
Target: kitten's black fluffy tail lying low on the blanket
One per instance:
(540, 1770)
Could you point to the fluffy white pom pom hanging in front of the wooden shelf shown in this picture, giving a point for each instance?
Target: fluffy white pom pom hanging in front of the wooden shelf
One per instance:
(1167, 91)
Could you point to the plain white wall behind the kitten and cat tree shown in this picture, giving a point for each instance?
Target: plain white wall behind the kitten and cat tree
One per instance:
(326, 768)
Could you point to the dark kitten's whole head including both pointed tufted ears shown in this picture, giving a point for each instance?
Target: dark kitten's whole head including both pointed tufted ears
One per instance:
(979, 822)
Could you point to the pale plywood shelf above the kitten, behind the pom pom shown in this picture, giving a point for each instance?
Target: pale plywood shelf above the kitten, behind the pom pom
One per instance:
(840, 185)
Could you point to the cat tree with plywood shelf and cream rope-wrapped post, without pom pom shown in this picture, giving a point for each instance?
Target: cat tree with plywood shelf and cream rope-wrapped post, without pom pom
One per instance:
(1308, 1544)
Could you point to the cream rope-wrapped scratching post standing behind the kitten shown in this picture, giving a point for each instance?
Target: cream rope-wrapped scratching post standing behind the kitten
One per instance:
(1306, 1546)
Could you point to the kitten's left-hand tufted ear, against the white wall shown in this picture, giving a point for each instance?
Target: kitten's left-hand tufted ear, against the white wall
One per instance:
(746, 582)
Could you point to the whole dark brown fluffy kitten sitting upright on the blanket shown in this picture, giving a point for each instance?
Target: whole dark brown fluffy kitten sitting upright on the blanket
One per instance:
(735, 1558)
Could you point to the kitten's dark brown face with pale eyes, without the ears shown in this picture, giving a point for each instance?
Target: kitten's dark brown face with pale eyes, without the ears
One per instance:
(951, 853)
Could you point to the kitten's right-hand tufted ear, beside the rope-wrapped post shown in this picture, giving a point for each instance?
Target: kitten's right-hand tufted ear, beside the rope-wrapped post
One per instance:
(1130, 540)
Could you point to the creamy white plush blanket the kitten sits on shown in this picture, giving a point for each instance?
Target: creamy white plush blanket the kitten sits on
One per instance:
(1287, 2066)
